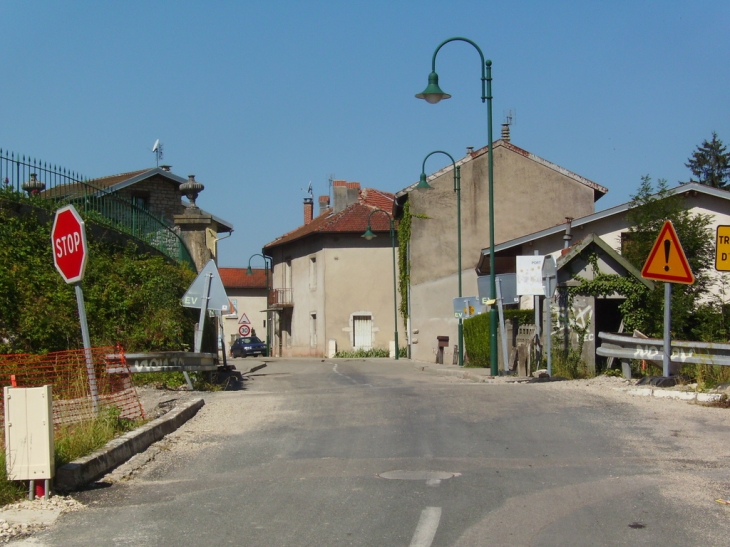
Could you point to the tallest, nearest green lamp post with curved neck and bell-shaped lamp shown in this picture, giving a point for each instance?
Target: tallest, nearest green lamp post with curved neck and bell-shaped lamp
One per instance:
(433, 94)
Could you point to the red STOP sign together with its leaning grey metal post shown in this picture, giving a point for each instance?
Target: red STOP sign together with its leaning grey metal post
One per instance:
(70, 255)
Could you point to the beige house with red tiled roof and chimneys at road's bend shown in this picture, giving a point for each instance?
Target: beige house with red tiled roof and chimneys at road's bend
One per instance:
(331, 288)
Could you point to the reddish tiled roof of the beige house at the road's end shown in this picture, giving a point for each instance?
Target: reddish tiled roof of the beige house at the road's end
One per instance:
(352, 219)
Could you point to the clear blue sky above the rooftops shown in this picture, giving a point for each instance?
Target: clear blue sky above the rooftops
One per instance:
(258, 98)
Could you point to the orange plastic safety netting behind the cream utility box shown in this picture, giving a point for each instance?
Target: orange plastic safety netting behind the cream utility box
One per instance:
(68, 374)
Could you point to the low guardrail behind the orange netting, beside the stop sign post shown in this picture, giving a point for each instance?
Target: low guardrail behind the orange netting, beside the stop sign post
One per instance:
(162, 361)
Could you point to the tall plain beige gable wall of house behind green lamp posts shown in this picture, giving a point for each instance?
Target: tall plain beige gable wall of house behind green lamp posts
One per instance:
(530, 194)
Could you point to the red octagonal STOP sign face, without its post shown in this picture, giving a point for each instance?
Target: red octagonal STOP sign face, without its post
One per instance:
(68, 240)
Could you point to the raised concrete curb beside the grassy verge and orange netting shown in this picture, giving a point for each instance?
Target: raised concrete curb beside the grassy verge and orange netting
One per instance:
(76, 474)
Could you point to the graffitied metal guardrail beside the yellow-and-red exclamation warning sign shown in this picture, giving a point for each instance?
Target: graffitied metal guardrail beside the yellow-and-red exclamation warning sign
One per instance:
(621, 346)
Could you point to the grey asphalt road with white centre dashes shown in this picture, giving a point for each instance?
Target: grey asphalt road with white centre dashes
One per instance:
(367, 453)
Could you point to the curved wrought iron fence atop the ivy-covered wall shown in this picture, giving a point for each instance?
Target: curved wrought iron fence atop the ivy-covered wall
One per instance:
(37, 178)
